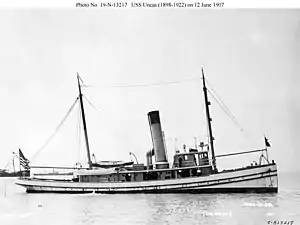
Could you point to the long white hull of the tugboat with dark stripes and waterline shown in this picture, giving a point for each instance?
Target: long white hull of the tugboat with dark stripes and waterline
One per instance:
(254, 179)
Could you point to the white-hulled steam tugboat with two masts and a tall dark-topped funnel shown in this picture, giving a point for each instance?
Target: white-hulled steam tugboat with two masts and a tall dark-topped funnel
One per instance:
(192, 171)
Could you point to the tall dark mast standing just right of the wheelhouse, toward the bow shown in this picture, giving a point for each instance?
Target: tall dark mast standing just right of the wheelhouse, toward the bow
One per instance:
(211, 138)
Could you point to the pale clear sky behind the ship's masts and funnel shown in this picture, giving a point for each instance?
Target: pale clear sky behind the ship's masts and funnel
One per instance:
(250, 59)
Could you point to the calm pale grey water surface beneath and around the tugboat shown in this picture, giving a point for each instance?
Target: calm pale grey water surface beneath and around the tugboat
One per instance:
(17, 207)
